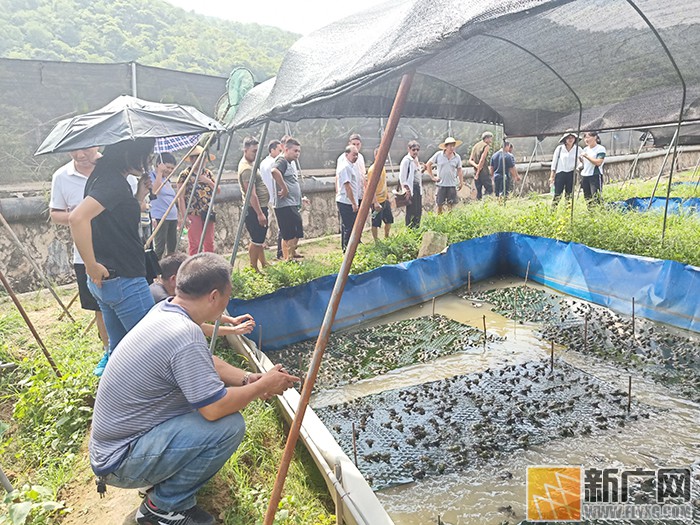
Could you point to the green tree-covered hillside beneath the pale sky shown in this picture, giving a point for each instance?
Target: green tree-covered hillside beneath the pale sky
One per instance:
(151, 32)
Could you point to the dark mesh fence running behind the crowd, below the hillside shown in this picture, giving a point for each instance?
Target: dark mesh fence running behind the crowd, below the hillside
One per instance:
(37, 94)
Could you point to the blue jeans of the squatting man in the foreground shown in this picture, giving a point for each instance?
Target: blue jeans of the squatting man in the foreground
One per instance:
(177, 457)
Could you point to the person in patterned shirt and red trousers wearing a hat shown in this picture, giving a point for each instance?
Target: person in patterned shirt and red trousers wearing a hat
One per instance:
(203, 192)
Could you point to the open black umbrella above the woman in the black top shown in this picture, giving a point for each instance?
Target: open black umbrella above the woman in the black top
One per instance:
(126, 118)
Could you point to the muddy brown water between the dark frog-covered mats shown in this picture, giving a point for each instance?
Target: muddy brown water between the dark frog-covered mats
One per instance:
(497, 494)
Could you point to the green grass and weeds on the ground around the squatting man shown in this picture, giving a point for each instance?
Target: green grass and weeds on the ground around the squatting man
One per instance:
(44, 423)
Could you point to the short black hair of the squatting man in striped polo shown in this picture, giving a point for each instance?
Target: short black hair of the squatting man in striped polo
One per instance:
(203, 273)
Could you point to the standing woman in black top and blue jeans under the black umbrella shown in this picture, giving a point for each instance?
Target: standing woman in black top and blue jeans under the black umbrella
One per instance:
(105, 229)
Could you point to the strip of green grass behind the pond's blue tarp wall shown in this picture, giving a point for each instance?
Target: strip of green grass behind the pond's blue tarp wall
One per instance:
(602, 227)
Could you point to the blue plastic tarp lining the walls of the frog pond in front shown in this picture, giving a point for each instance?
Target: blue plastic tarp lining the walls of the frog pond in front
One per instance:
(664, 291)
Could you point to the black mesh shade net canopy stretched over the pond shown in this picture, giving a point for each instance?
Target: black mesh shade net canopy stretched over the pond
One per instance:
(524, 63)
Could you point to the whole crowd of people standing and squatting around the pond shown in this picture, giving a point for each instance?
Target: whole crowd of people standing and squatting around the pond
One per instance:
(167, 411)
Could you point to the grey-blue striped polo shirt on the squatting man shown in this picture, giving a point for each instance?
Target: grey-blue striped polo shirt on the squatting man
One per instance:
(160, 370)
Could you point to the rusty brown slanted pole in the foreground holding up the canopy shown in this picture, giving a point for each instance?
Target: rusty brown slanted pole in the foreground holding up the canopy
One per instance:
(336, 294)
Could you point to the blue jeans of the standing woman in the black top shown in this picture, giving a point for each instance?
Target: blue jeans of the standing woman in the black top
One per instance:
(123, 301)
